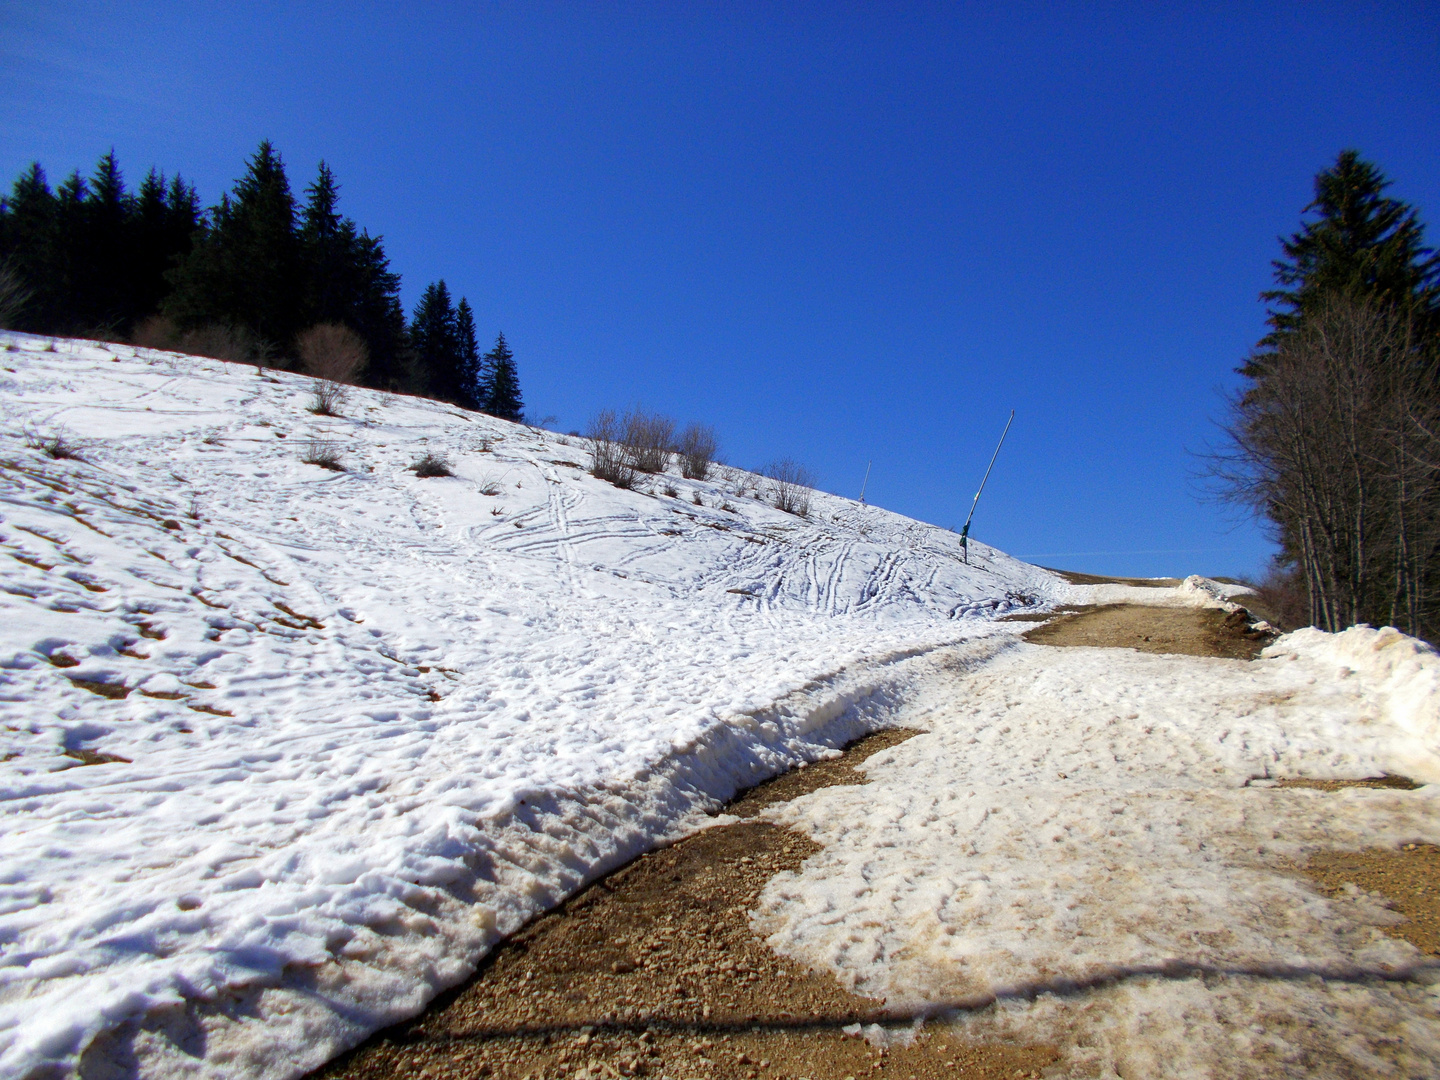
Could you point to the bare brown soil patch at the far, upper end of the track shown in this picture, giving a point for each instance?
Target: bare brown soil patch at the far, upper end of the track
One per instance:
(1192, 631)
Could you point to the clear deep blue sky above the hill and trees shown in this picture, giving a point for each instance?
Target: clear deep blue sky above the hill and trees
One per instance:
(839, 233)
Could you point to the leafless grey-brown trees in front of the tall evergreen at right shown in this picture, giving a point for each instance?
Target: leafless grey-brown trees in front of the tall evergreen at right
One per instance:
(1336, 446)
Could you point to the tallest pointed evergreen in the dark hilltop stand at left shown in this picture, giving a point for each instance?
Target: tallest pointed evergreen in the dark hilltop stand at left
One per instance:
(247, 269)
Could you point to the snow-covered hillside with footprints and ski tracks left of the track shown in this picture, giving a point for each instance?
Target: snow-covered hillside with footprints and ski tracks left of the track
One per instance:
(284, 751)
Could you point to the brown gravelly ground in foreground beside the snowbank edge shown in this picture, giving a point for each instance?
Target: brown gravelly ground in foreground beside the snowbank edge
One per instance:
(656, 971)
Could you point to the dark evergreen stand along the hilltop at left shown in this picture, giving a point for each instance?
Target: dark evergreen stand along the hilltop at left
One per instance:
(241, 280)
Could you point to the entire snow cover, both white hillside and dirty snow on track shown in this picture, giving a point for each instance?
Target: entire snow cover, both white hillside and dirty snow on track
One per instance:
(286, 751)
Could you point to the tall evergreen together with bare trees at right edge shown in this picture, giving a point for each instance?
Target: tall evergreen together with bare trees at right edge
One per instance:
(1336, 438)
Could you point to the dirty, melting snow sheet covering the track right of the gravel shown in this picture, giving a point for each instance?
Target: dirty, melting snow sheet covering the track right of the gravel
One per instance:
(1088, 847)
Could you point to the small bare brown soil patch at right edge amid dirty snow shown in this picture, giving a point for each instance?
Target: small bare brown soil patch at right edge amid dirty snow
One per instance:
(1408, 879)
